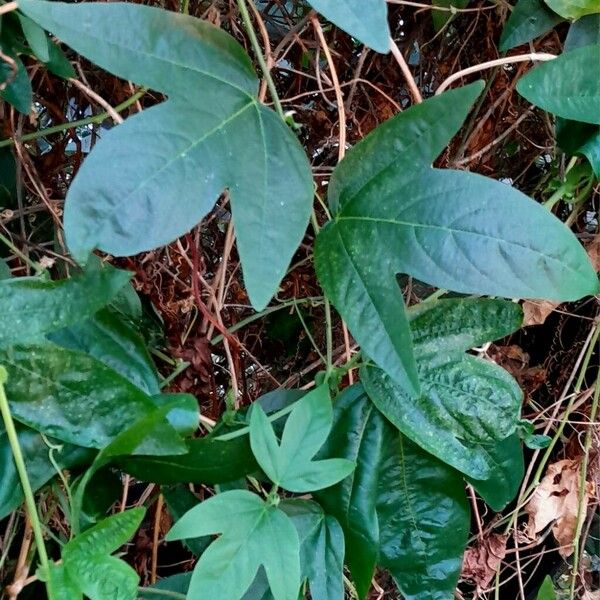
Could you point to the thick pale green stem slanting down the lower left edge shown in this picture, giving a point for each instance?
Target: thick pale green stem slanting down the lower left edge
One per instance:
(15, 447)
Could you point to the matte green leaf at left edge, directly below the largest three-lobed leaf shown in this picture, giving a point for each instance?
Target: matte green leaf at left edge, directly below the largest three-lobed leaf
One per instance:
(31, 307)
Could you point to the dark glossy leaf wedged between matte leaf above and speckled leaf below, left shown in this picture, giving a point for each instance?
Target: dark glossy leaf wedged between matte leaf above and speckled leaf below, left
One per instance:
(111, 340)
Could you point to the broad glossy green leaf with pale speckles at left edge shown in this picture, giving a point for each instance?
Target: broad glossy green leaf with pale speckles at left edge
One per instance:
(70, 395)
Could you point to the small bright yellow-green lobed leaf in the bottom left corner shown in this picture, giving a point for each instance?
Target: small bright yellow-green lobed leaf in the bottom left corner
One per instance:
(87, 563)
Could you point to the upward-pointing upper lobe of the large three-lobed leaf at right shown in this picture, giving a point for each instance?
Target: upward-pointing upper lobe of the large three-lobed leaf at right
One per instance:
(418, 135)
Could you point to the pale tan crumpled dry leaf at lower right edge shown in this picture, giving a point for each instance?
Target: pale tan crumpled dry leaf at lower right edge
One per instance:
(556, 500)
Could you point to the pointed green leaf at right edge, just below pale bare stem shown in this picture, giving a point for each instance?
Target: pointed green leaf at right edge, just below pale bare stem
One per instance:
(566, 86)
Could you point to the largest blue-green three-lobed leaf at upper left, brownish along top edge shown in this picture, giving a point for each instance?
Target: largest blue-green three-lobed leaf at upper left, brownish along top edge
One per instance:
(175, 159)
